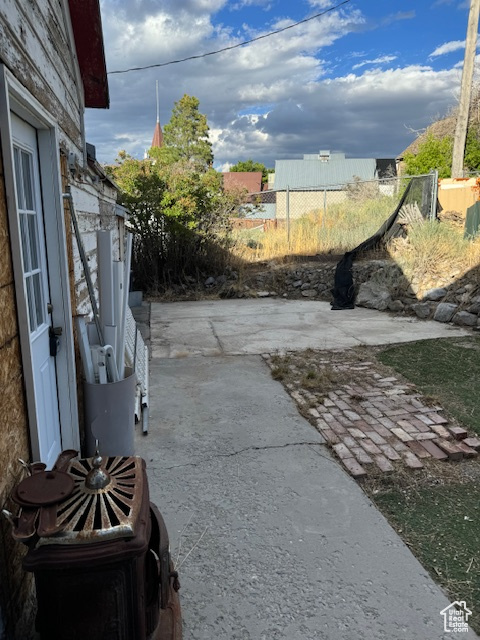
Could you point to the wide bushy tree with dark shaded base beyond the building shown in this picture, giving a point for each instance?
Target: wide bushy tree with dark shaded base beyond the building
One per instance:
(179, 214)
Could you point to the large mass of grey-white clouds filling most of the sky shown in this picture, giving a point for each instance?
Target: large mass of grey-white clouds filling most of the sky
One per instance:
(289, 103)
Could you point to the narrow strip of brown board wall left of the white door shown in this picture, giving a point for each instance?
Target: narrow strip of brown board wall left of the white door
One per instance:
(15, 585)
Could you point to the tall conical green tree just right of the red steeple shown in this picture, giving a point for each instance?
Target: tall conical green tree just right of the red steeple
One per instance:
(186, 135)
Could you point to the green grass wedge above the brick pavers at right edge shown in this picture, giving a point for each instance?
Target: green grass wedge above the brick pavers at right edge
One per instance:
(445, 369)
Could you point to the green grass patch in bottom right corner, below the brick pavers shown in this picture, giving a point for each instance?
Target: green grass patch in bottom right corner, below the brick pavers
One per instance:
(441, 524)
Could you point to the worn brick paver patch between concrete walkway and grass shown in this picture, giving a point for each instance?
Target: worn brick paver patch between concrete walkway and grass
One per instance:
(379, 422)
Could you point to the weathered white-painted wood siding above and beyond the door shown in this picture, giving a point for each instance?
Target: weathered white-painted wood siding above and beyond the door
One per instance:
(34, 45)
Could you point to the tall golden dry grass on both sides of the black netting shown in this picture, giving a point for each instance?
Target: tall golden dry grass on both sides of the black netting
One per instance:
(433, 248)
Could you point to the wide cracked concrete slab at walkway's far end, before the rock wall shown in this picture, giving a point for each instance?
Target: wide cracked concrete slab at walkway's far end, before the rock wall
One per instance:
(242, 327)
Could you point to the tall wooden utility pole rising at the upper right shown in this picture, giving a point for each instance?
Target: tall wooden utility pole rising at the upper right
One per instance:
(466, 90)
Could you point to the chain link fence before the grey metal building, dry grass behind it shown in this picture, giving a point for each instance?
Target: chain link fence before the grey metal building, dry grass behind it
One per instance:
(335, 217)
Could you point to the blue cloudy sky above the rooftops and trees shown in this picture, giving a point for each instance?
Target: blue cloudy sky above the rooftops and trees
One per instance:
(362, 79)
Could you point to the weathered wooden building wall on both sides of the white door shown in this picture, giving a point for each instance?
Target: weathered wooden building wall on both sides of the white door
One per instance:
(35, 47)
